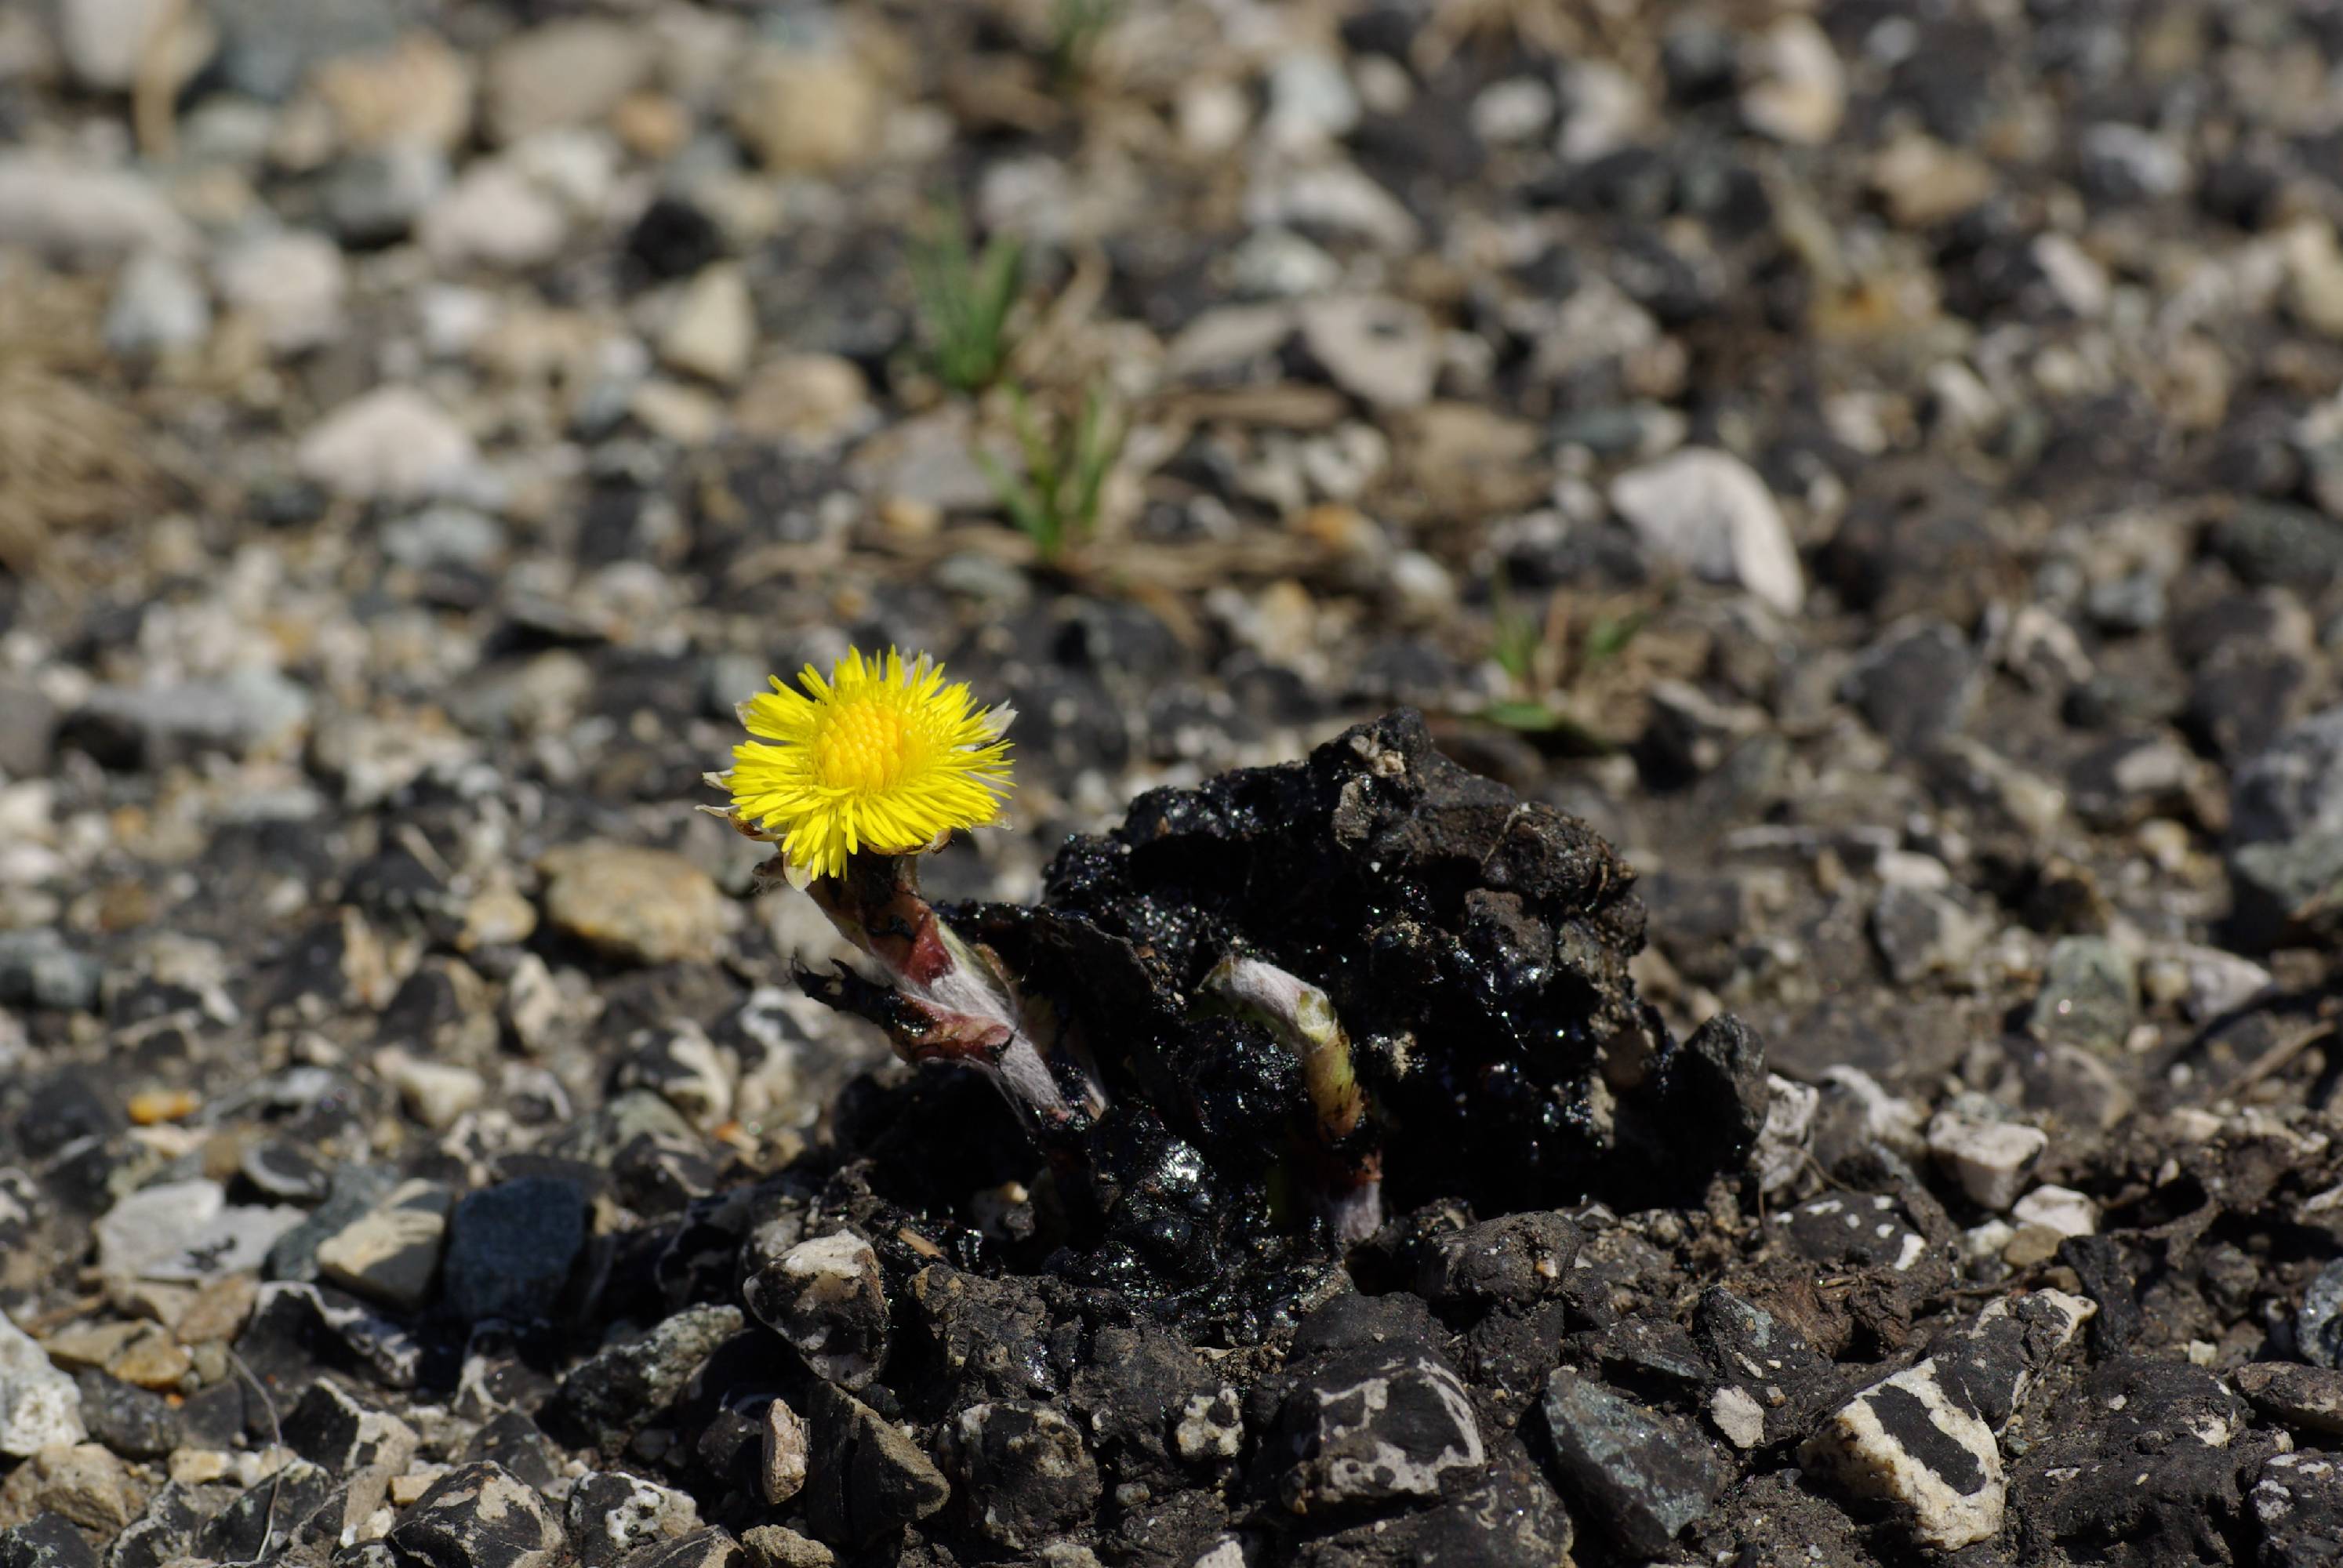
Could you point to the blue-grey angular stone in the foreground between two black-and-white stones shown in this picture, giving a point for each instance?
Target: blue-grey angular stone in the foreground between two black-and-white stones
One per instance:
(1639, 1473)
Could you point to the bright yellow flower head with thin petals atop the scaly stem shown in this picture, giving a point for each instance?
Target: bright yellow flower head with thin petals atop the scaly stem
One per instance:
(882, 756)
